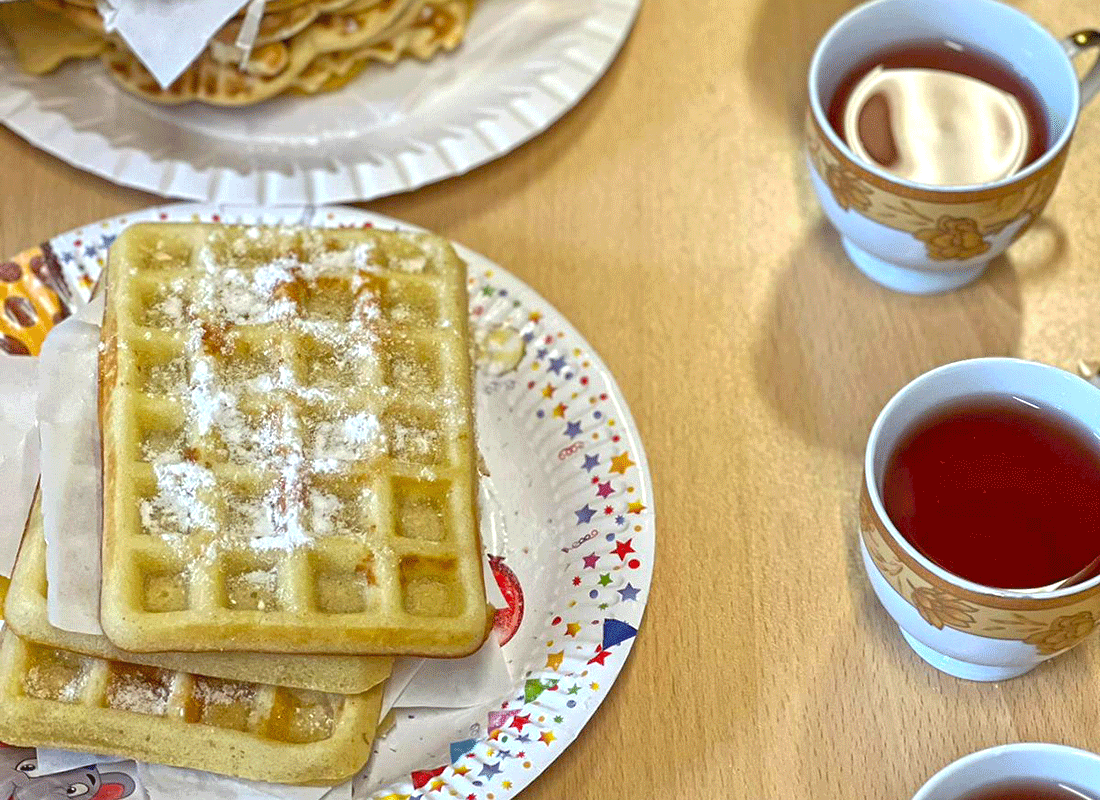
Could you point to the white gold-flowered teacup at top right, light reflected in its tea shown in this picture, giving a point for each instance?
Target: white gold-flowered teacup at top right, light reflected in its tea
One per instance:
(926, 239)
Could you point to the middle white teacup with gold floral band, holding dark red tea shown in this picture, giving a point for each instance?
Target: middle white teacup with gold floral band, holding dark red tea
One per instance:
(959, 627)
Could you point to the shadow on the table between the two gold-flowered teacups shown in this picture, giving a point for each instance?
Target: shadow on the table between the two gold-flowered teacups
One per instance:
(834, 347)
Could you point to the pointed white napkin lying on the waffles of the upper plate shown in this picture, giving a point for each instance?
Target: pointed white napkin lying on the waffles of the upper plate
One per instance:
(167, 36)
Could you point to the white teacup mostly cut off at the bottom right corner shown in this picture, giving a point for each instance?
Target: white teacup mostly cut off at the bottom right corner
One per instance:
(1017, 762)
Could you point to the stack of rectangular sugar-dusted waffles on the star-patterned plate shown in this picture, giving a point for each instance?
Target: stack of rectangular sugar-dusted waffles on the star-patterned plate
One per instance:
(290, 501)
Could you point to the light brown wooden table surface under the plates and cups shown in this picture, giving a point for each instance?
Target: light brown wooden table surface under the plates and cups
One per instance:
(670, 217)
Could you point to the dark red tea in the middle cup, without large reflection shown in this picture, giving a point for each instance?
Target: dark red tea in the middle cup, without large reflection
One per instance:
(998, 490)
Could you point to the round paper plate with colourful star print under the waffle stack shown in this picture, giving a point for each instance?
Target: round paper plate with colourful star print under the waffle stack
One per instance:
(570, 528)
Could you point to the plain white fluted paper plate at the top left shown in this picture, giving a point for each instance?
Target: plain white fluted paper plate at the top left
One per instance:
(524, 64)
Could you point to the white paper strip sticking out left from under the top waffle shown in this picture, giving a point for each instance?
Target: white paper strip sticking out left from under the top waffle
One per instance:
(72, 497)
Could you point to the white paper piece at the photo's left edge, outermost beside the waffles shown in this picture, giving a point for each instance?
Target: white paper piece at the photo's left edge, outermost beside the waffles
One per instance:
(19, 452)
